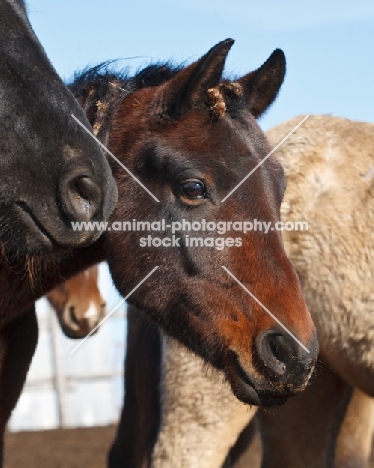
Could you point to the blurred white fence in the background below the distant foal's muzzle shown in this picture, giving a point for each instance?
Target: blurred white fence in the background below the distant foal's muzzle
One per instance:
(80, 389)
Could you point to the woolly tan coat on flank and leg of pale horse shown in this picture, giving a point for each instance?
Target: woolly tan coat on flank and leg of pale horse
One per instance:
(329, 165)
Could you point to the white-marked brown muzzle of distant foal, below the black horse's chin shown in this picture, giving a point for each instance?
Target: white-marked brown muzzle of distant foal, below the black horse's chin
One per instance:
(78, 303)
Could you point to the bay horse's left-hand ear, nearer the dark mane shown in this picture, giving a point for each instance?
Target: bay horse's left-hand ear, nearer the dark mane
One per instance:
(189, 87)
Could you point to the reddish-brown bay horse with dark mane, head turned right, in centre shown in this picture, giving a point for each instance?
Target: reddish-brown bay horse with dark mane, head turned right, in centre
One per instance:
(189, 137)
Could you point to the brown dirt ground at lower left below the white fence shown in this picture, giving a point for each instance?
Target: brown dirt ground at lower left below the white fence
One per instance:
(63, 448)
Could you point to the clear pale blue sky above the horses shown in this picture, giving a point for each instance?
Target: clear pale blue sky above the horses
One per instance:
(329, 45)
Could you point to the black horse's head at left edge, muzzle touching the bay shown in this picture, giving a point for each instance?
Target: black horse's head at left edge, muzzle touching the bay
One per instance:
(51, 172)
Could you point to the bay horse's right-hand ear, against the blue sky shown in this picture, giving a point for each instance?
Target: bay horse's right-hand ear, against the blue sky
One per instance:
(261, 86)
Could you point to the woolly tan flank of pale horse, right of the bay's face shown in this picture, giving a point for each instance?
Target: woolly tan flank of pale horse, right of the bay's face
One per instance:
(329, 164)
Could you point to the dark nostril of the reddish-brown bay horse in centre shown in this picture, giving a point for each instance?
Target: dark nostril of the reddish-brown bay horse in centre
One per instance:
(275, 352)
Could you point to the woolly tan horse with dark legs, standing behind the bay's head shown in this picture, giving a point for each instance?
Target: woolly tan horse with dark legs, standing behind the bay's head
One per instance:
(329, 169)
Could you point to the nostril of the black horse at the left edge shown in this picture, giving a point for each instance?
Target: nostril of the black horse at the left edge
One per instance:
(81, 197)
